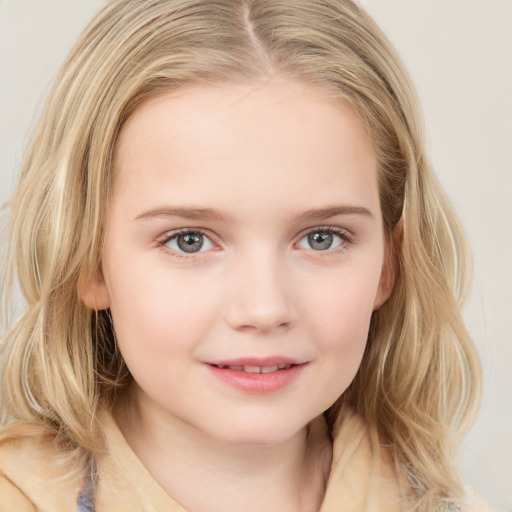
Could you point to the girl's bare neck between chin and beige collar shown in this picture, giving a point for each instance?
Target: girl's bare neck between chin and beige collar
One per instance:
(289, 476)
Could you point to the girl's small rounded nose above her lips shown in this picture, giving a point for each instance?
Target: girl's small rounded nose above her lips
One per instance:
(261, 297)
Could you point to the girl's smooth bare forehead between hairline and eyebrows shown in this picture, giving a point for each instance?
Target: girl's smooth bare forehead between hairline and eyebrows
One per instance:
(230, 141)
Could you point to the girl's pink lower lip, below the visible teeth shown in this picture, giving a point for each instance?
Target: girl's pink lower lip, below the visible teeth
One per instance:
(258, 383)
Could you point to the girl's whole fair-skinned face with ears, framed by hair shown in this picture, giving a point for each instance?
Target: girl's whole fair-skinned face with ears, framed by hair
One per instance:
(244, 256)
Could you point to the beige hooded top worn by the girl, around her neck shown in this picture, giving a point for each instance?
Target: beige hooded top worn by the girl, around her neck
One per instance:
(363, 477)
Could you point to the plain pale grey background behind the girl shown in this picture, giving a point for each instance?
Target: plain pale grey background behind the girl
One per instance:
(459, 53)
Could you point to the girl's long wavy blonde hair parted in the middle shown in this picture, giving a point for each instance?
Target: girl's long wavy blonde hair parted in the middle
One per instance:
(419, 382)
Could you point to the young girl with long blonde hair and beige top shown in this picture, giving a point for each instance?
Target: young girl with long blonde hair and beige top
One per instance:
(242, 279)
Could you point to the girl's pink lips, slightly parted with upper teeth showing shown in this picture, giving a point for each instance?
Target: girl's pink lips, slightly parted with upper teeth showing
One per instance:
(257, 376)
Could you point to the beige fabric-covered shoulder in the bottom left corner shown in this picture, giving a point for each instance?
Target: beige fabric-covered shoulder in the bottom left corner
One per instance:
(31, 476)
